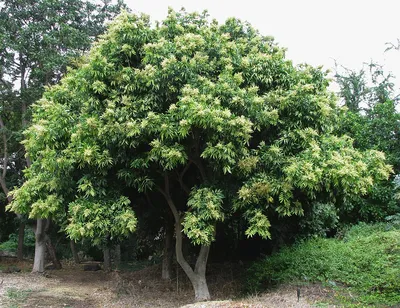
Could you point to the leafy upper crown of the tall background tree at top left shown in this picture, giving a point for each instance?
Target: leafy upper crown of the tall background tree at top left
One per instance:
(39, 38)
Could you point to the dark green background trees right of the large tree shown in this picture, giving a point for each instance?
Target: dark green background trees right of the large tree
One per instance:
(373, 120)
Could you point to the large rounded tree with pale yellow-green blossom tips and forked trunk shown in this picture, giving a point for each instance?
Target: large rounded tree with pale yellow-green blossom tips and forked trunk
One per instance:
(212, 118)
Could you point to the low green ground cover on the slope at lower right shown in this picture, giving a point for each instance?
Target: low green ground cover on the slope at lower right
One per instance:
(366, 260)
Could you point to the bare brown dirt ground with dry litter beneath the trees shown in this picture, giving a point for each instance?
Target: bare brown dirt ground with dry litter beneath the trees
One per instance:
(73, 287)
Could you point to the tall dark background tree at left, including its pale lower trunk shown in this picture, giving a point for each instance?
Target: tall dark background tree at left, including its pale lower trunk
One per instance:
(38, 39)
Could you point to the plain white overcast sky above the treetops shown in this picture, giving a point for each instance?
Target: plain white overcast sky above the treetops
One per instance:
(314, 31)
